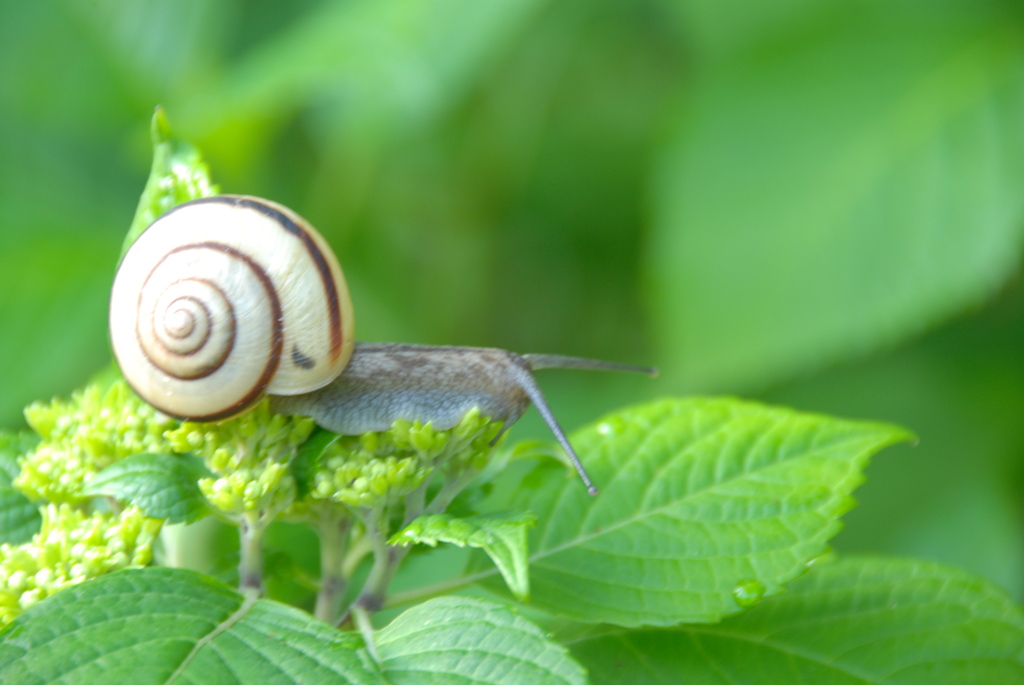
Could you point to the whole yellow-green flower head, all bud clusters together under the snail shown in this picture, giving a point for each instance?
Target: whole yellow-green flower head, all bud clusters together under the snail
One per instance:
(253, 479)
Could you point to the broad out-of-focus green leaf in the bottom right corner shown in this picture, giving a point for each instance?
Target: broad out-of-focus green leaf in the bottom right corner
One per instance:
(859, 622)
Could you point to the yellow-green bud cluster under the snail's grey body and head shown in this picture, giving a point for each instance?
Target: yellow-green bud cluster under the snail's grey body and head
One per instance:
(374, 469)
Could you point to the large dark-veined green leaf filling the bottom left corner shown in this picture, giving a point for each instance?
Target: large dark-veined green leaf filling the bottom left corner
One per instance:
(162, 625)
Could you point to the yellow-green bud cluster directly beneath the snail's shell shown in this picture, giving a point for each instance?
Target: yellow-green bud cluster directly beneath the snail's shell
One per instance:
(250, 457)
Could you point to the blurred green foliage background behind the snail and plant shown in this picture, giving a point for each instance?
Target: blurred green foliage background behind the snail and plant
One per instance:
(814, 203)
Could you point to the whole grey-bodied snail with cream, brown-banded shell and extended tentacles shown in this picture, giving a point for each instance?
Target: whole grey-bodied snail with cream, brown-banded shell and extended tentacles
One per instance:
(227, 299)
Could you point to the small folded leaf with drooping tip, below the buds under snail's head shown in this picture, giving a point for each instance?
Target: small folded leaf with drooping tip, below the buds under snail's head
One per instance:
(502, 536)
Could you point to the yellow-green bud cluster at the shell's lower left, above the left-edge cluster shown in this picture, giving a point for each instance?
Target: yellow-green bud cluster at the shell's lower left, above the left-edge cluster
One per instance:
(82, 437)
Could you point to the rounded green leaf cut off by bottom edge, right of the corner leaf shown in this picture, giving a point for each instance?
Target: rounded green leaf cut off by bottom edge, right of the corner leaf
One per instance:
(465, 640)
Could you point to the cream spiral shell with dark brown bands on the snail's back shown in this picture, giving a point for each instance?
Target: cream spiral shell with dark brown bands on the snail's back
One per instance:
(225, 299)
